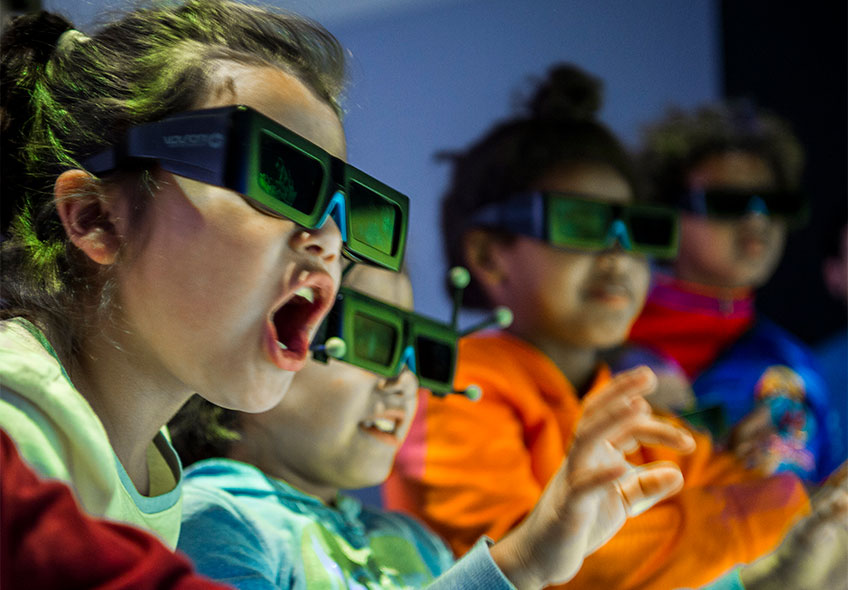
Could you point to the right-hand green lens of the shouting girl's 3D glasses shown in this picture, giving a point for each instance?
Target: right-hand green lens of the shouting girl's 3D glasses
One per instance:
(374, 220)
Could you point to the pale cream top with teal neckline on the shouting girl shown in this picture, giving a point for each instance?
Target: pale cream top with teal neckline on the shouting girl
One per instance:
(59, 435)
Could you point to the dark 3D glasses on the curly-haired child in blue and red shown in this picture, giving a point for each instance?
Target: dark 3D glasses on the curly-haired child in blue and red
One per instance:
(733, 204)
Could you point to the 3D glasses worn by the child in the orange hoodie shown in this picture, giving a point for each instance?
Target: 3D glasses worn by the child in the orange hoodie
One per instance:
(578, 222)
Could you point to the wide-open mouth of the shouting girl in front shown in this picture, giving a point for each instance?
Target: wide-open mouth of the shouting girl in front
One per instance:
(290, 325)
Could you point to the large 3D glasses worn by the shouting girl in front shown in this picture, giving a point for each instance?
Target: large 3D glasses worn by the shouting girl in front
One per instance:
(277, 171)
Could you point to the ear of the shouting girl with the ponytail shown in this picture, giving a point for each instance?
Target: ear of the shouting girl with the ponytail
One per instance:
(88, 215)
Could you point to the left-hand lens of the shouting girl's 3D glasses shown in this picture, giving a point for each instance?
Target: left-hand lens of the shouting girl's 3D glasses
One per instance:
(290, 177)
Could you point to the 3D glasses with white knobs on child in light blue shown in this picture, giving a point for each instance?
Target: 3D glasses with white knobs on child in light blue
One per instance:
(382, 338)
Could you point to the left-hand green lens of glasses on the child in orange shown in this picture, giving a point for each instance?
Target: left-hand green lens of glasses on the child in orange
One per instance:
(578, 223)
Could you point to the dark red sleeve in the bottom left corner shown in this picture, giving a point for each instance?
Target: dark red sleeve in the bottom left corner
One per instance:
(47, 542)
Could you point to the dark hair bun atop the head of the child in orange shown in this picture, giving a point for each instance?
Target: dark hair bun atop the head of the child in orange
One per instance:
(568, 94)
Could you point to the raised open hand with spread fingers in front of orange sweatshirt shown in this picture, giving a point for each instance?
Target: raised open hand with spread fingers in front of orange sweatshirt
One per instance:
(596, 489)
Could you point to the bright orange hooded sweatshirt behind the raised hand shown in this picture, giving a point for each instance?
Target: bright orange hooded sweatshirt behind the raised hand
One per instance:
(478, 468)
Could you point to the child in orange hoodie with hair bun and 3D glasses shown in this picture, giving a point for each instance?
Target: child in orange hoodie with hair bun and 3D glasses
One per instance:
(542, 212)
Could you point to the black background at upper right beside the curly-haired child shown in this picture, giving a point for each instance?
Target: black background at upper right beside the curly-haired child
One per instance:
(793, 59)
